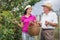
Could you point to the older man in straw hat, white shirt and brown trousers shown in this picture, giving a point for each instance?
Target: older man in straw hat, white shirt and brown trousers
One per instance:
(48, 22)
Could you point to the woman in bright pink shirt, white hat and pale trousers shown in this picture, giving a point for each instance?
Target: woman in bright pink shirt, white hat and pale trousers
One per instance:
(25, 20)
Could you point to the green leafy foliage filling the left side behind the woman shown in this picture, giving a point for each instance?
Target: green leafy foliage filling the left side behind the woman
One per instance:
(9, 10)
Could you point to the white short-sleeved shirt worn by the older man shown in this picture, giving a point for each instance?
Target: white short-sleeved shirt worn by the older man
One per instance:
(51, 17)
